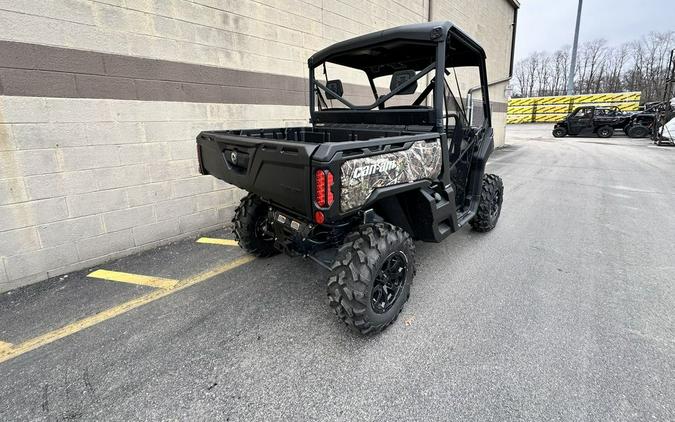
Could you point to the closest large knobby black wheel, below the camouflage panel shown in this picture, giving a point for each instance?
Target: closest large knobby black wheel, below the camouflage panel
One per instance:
(370, 280)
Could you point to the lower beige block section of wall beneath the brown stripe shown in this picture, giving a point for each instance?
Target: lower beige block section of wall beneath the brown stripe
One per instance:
(105, 184)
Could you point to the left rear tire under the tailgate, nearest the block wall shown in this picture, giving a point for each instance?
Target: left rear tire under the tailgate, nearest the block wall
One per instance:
(250, 227)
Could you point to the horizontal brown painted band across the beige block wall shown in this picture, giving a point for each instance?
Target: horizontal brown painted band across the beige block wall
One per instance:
(40, 71)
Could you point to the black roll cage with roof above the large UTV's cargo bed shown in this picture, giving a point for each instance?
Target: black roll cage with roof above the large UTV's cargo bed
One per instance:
(417, 49)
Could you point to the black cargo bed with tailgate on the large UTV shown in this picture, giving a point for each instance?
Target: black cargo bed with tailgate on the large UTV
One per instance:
(277, 163)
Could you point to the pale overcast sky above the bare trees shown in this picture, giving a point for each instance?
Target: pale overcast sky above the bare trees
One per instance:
(546, 25)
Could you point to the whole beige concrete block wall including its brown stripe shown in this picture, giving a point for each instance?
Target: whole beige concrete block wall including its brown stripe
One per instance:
(100, 103)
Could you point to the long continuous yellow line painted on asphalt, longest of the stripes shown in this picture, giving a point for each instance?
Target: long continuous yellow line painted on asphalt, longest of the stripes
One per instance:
(84, 323)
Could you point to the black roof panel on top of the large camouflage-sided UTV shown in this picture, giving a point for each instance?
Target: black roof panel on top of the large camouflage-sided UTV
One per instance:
(403, 47)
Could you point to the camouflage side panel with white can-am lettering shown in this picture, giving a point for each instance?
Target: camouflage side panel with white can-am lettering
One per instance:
(361, 176)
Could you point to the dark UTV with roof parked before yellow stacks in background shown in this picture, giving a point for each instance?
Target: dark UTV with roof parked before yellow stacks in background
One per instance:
(599, 120)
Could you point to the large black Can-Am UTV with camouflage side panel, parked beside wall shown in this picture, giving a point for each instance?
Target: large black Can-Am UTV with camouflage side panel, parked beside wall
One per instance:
(373, 171)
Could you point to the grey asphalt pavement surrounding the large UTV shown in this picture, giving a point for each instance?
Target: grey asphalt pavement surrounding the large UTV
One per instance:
(566, 311)
